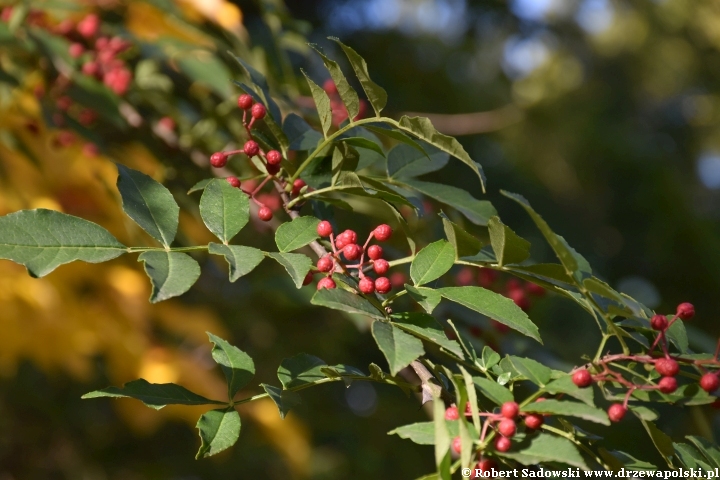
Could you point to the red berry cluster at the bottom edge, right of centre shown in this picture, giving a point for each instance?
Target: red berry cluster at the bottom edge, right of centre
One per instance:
(503, 422)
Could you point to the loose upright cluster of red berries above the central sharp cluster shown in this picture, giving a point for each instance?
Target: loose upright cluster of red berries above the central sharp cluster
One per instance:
(271, 160)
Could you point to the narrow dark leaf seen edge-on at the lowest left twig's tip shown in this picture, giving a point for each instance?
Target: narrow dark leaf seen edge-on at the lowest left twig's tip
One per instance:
(154, 395)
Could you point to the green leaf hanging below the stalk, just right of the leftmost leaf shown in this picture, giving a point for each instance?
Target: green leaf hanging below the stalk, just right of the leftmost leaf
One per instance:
(171, 273)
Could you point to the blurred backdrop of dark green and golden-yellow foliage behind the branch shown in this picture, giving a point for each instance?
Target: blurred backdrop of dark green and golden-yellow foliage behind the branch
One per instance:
(603, 113)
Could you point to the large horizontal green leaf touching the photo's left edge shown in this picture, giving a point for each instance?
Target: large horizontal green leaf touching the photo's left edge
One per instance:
(42, 240)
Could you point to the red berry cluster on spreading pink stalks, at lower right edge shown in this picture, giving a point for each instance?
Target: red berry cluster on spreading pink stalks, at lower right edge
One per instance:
(666, 365)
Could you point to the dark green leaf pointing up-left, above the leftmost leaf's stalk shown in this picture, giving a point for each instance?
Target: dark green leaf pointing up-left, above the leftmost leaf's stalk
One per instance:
(149, 204)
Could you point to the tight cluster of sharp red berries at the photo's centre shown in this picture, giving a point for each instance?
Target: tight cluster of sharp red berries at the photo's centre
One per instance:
(345, 246)
